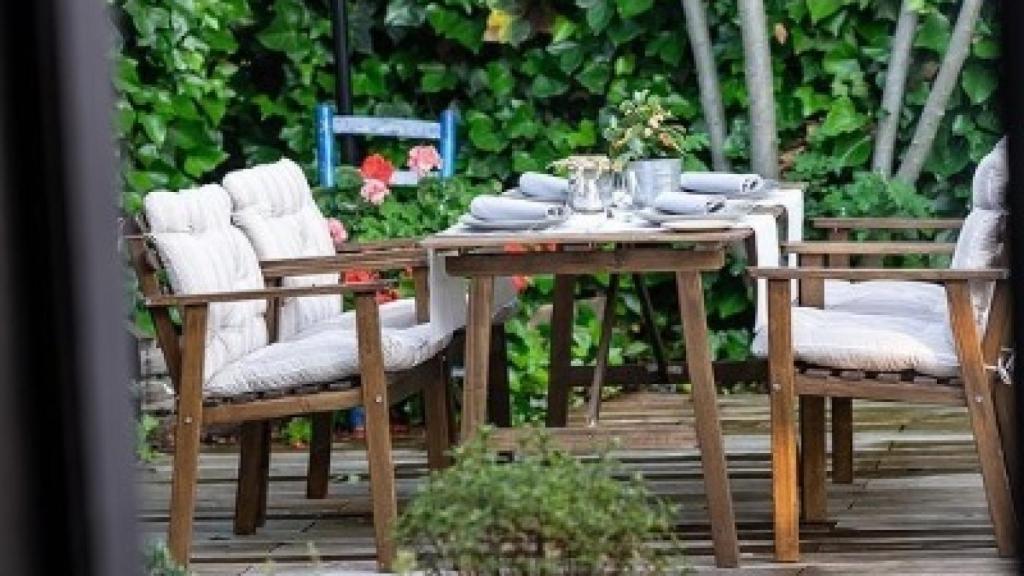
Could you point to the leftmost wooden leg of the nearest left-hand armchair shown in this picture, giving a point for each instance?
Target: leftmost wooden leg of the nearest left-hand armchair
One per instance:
(187, 436)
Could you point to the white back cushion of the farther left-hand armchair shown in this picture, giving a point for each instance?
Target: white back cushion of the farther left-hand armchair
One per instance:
(275, 209)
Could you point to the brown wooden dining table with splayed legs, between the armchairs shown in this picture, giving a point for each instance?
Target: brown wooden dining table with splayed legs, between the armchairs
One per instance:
(482, 258)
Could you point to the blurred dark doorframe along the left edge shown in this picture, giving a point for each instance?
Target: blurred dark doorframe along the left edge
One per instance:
(67, 500)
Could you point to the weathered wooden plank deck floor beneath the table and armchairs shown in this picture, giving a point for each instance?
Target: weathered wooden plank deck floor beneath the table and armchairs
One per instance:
(917, 506)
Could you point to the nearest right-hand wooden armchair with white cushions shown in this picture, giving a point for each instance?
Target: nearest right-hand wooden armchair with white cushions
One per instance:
(922, 336)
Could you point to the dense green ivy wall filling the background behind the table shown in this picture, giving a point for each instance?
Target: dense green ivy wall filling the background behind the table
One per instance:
(207, 86)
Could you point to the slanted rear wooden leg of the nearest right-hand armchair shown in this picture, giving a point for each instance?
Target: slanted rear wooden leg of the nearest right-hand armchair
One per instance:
(979, 403)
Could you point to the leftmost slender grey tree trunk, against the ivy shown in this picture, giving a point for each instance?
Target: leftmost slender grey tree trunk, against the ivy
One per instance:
(711, 97)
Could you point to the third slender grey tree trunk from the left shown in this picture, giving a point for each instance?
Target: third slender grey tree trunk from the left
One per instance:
(892, 96)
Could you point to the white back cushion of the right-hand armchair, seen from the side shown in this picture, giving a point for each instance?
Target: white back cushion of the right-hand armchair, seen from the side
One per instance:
(982, 240)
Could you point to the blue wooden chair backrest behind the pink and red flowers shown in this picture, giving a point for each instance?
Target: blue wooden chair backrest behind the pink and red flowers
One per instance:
(329, 125)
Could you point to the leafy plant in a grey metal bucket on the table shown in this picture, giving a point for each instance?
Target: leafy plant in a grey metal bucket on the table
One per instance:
(642, 136)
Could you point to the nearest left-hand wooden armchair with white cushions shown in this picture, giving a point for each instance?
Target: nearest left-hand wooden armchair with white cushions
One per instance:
(228, 366)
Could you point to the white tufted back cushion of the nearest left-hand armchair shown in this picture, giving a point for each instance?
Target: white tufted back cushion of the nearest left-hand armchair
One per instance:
(203, 253)
